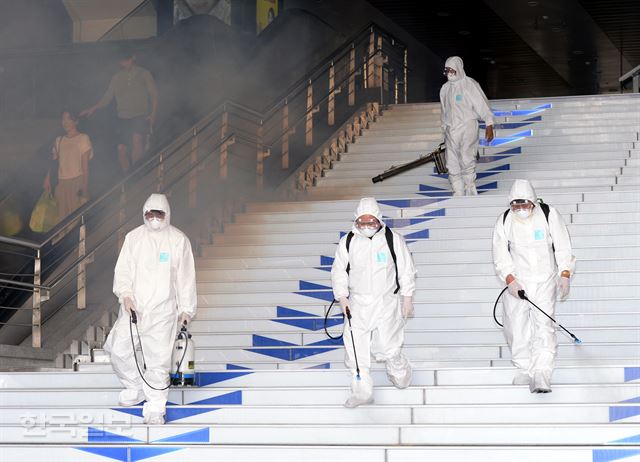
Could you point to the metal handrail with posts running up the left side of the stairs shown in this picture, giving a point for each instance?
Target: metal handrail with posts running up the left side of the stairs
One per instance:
(244, 133)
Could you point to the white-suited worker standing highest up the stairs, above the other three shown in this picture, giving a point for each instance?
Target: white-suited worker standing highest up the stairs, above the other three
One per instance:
(462, 103)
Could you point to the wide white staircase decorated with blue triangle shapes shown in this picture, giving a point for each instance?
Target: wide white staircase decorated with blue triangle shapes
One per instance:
(271, 385)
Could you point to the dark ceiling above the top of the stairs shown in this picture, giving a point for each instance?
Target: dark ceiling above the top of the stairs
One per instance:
(518, 48)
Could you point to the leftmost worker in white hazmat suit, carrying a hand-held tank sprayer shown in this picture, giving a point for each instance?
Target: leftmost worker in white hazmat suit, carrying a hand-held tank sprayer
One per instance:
(155, 277)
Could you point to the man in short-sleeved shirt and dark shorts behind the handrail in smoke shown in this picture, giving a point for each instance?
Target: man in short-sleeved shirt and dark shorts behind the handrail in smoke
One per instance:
(136, 97)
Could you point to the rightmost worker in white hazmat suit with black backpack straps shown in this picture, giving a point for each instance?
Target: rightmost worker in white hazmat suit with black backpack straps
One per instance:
(532, 252)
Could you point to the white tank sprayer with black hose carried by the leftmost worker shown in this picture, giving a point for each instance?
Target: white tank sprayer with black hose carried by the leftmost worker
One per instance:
(184, 352)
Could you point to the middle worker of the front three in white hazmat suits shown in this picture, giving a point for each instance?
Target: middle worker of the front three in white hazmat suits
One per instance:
(364, 282)
